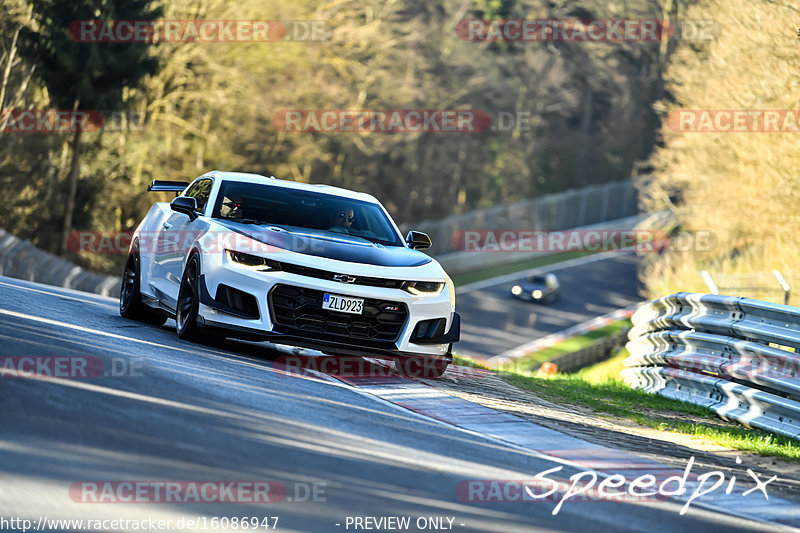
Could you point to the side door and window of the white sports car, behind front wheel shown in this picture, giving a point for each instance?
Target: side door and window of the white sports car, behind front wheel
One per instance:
(177, 234)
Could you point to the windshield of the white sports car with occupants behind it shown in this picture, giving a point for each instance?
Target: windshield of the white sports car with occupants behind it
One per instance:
(289, 208)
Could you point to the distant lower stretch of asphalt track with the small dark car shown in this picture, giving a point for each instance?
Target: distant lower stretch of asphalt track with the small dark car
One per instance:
(493, 321)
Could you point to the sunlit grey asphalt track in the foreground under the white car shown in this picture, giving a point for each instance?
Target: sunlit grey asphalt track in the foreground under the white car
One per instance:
(190, 412)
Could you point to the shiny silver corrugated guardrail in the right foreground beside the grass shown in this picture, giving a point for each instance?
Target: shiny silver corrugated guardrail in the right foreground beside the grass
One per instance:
(737, 356)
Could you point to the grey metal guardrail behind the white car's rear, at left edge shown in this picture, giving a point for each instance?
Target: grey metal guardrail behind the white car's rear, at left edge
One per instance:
(21, 259)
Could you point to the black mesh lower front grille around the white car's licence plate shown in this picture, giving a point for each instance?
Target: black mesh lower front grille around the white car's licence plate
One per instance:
(298, 311)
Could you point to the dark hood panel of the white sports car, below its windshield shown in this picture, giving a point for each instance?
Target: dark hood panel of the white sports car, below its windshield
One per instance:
(319, 243)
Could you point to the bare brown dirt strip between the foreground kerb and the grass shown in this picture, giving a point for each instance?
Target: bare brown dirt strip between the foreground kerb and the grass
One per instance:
(665, 447)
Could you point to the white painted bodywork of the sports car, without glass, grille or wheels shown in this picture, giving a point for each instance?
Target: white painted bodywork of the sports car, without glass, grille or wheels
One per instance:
(164, 253)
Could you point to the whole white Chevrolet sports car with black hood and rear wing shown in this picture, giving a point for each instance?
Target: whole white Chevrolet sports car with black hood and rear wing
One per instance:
(313, 266)
